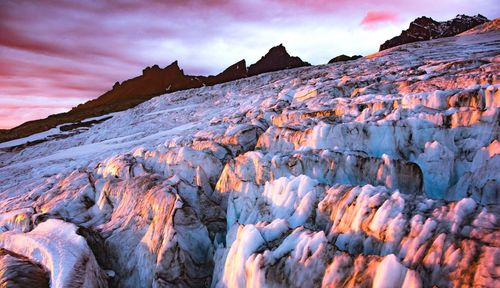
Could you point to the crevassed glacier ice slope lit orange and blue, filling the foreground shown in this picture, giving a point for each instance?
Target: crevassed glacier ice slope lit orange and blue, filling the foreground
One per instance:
(379, 172)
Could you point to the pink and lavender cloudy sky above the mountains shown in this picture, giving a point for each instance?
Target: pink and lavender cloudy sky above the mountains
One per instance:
(55, 54)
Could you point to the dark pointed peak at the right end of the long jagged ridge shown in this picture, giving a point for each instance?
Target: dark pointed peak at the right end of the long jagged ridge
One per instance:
(277, 58)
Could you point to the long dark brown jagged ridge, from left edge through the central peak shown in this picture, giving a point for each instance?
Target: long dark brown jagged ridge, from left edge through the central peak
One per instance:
(153, 82)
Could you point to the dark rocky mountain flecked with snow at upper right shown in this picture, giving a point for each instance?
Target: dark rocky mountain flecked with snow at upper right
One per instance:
(425, 28)
